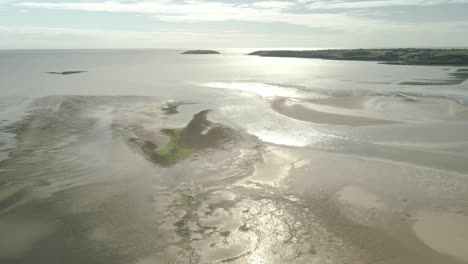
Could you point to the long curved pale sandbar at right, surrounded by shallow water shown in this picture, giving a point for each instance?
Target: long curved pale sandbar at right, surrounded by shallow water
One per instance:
(374, 110)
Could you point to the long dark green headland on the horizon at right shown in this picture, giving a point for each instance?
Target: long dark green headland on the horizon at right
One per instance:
(389, 56)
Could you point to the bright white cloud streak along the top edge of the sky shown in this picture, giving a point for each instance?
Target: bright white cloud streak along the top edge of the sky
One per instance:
(263, 11)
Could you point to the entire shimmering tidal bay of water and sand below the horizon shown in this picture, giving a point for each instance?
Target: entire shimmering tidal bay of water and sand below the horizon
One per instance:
(150, 156)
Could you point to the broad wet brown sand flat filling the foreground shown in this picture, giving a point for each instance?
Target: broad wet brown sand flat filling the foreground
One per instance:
(85, 189)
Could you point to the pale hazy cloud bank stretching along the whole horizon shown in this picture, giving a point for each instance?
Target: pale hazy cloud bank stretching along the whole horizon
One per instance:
(435, 34)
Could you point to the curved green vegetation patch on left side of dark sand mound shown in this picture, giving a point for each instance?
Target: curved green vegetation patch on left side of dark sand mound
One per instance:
(168, 154)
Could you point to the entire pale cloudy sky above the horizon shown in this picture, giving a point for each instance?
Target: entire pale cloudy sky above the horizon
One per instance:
(59, 24)
